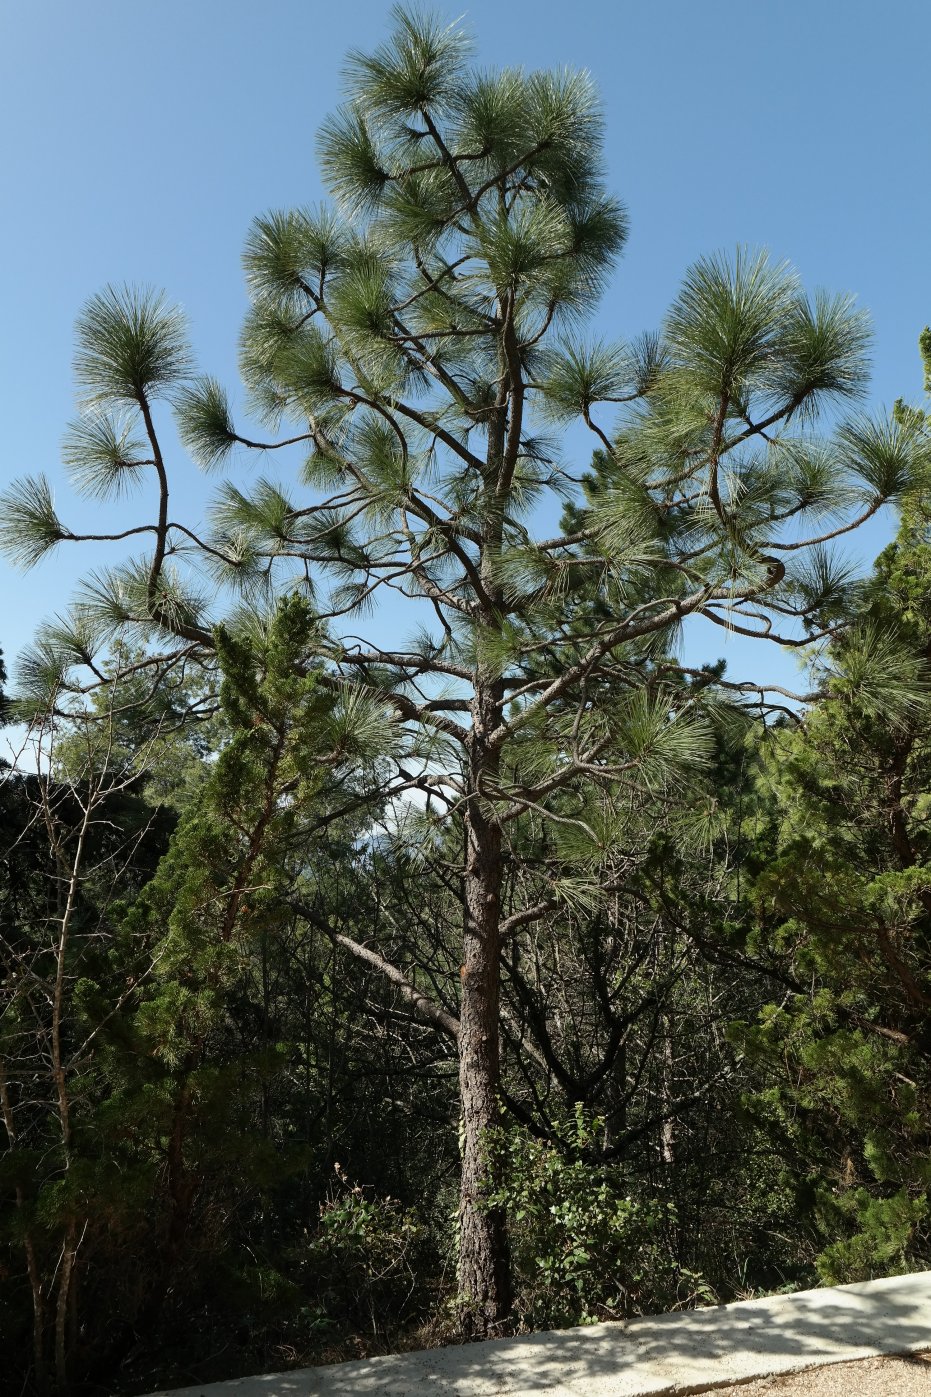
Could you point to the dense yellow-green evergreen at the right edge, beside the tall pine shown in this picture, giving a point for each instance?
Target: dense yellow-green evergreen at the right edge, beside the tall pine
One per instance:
(844, 898)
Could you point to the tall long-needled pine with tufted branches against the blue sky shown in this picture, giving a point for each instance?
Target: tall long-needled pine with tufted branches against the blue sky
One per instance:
(420, 340)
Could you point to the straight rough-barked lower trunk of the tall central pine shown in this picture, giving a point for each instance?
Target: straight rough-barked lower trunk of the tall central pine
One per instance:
(484, 1259)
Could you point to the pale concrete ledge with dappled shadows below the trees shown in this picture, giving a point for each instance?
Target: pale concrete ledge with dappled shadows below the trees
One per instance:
(681, 1353)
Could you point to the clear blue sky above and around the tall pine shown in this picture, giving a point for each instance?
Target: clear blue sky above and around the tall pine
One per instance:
(139, 140)
